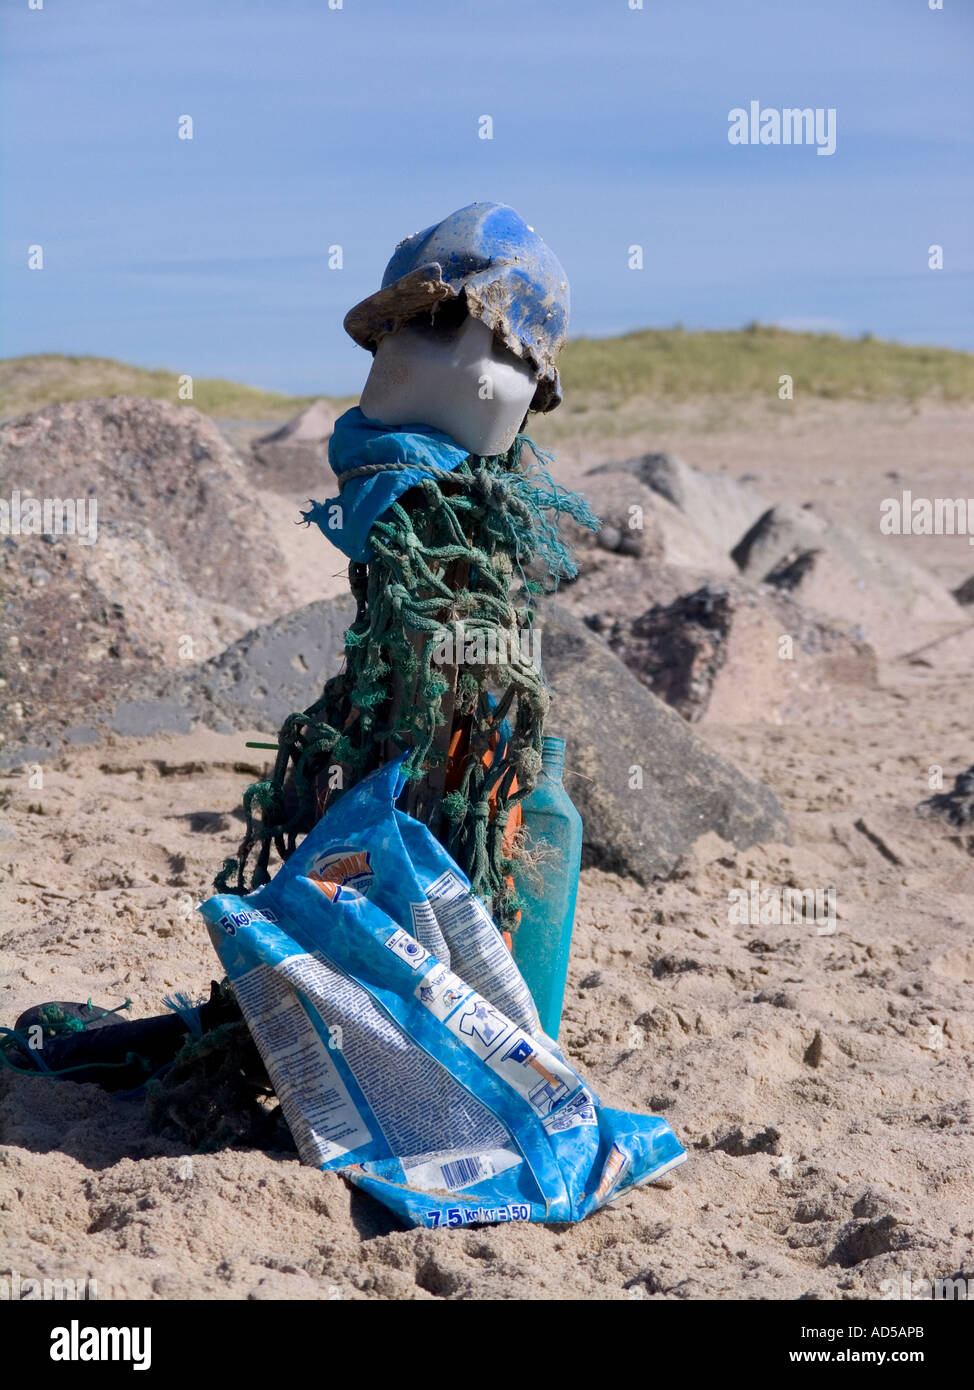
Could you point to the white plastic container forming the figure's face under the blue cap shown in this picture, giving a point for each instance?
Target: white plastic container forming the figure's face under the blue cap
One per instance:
(462, 383)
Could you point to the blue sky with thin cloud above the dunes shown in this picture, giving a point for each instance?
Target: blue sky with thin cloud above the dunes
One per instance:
(359, 126)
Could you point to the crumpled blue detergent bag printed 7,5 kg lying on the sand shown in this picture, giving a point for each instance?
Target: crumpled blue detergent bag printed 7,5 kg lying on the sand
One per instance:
(402, 1042)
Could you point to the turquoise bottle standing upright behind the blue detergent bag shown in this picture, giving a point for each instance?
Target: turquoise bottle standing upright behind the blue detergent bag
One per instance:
(543, 939)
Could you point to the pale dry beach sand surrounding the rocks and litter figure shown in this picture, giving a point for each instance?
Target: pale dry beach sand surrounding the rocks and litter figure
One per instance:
(822, 1084)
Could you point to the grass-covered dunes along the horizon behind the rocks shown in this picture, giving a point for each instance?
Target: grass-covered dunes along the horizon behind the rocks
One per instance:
(604, 377)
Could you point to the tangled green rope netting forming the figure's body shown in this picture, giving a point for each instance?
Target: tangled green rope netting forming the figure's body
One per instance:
(443, 640)
